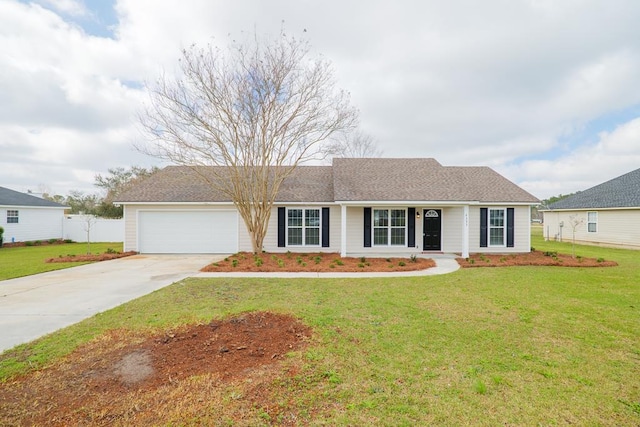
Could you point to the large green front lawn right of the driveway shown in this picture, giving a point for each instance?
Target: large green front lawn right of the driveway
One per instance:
(492, 346)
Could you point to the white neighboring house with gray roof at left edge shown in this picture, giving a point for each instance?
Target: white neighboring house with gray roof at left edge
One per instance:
(25, 217)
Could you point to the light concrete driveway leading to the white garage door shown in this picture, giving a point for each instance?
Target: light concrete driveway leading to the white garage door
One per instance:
(33, 306)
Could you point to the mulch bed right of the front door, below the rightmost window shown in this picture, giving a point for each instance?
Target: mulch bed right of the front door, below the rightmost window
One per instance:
(536, 258)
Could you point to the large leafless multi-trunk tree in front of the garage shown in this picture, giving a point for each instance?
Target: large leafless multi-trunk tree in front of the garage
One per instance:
(259, 109)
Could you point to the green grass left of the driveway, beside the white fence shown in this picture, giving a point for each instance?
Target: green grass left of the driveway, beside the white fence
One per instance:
(28, 260)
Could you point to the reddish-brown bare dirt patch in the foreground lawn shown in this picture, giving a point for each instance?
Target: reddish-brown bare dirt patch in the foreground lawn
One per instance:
(123, 378)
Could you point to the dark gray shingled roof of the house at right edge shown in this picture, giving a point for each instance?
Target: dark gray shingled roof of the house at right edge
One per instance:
(620, 192)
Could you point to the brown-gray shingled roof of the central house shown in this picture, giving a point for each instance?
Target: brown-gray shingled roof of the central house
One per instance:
(349, 180)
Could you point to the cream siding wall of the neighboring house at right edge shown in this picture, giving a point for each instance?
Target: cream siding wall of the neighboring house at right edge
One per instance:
(615, 227)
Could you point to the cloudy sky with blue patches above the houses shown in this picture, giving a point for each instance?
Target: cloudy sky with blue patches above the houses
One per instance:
(547, 92)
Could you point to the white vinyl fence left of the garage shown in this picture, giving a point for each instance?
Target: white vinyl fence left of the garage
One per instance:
(74, 227)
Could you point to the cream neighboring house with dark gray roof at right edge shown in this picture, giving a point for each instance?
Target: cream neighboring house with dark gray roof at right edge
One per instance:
(609, 212)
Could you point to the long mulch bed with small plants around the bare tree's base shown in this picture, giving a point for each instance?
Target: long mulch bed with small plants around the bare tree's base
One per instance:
(315, 262)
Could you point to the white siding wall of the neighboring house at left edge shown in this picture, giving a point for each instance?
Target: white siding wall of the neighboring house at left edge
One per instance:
(33, 224)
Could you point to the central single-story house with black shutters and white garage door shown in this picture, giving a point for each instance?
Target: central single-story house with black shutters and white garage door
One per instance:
(356, 206)
